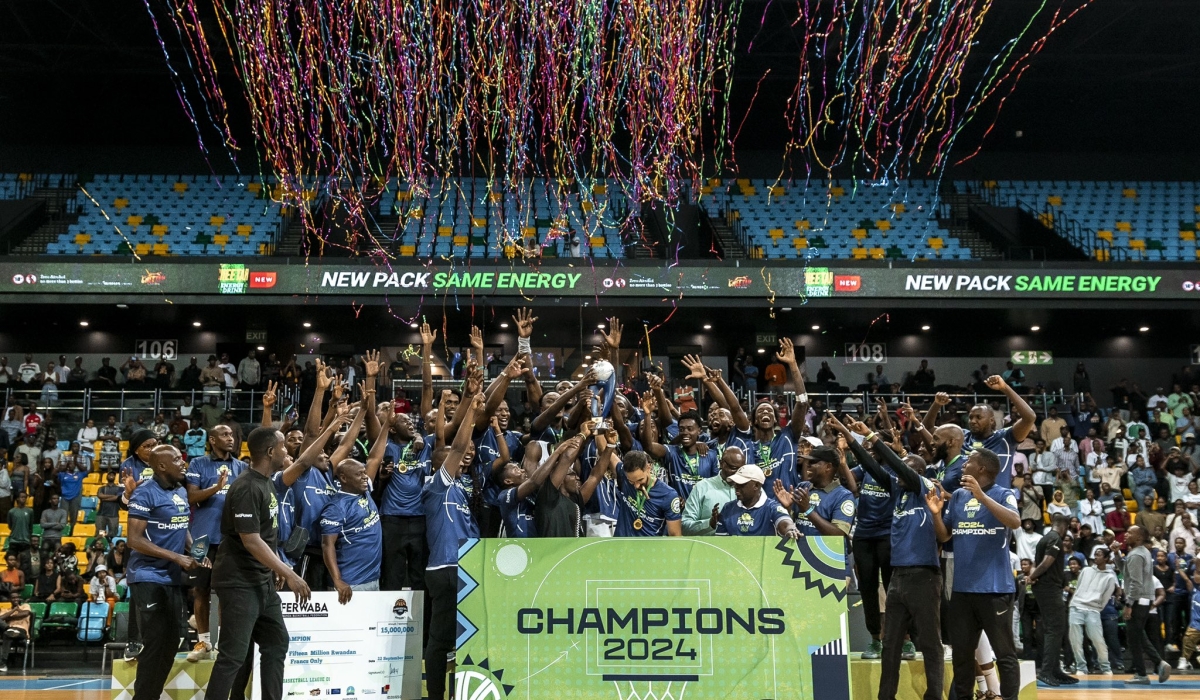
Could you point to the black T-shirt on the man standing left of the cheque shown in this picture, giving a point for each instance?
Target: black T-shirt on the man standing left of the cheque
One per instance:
(250, 507)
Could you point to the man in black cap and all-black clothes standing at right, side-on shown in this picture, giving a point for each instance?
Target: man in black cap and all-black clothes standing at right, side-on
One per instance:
(1048, 583)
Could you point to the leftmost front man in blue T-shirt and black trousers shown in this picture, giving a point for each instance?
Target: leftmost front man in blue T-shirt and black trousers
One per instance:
(160, 541)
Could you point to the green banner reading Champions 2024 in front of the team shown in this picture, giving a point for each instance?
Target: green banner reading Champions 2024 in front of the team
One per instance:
(653, 619)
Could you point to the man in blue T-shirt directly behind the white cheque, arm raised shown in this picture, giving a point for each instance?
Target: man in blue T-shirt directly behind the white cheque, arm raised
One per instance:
(351, 535)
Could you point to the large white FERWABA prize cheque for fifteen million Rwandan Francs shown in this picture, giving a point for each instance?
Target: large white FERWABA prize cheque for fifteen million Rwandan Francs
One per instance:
(369, 649)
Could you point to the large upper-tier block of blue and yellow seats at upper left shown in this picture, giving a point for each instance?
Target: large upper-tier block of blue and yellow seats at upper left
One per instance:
(172, 216)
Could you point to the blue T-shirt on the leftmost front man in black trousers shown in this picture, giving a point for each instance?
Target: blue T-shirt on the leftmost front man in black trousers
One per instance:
(166, 516)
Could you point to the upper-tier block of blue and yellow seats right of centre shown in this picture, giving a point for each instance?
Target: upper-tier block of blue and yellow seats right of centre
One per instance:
(860, 220)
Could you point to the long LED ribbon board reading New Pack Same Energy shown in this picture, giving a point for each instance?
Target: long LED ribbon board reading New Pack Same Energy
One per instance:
(272, 278)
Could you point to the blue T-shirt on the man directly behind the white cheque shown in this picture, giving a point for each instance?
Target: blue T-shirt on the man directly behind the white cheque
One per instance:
(355, 520)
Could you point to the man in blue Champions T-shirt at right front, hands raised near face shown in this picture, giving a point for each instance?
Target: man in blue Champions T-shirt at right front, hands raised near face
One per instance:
(980, 518)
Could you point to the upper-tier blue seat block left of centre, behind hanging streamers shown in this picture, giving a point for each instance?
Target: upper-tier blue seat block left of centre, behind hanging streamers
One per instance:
(465, 218)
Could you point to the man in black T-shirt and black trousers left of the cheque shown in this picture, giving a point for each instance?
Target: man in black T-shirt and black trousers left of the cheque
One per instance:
(247, 570)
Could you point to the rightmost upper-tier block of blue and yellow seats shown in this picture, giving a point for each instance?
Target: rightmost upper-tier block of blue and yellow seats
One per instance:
(1143, 220)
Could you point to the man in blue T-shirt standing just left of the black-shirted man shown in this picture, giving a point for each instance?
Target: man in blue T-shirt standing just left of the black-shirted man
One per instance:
(208, 482)
